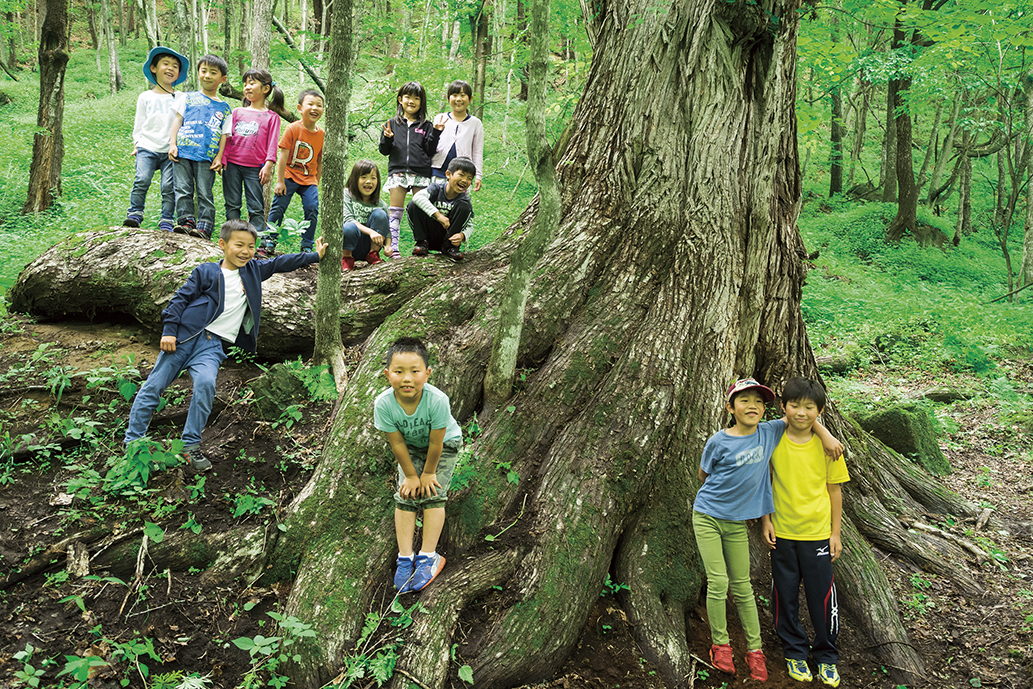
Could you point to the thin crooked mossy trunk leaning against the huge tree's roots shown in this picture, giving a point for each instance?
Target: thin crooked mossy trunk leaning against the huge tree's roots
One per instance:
(503, 365)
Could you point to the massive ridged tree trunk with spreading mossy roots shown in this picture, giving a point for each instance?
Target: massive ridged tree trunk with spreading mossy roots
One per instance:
(630, 350)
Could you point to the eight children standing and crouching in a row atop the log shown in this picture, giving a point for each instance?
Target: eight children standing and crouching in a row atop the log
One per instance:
(193, 138)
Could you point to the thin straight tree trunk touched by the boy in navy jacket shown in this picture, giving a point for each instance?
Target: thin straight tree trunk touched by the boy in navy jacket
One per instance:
(329, 348)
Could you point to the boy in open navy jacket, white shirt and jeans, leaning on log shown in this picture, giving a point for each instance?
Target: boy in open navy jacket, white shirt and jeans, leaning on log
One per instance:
(220, 305)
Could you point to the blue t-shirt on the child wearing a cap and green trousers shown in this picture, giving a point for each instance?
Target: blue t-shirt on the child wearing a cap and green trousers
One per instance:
(739, 484)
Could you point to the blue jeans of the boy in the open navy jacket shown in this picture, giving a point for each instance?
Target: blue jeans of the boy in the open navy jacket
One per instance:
(202, 356)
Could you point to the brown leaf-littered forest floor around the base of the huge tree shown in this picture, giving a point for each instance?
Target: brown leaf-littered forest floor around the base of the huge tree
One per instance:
(184, 621)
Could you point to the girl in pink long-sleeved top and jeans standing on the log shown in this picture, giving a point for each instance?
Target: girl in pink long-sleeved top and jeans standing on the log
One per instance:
(251, 153)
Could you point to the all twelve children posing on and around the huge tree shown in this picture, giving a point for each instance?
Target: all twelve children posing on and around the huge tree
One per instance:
(776, 472)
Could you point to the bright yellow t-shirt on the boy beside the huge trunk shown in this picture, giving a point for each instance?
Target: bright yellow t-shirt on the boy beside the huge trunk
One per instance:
(803, 510)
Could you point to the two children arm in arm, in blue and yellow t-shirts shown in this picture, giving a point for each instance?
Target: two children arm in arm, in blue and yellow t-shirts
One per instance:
(788, 474)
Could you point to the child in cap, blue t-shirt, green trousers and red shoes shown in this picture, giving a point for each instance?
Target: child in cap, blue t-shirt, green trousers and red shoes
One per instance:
(736, 488)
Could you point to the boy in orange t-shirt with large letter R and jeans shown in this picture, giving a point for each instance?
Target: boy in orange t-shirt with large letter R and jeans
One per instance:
(298, 170)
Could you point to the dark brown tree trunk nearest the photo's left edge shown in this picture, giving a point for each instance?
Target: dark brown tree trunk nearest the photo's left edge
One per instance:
(48, 143)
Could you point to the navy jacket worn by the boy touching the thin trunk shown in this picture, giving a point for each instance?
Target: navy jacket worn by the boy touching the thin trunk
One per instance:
(201, 301)
